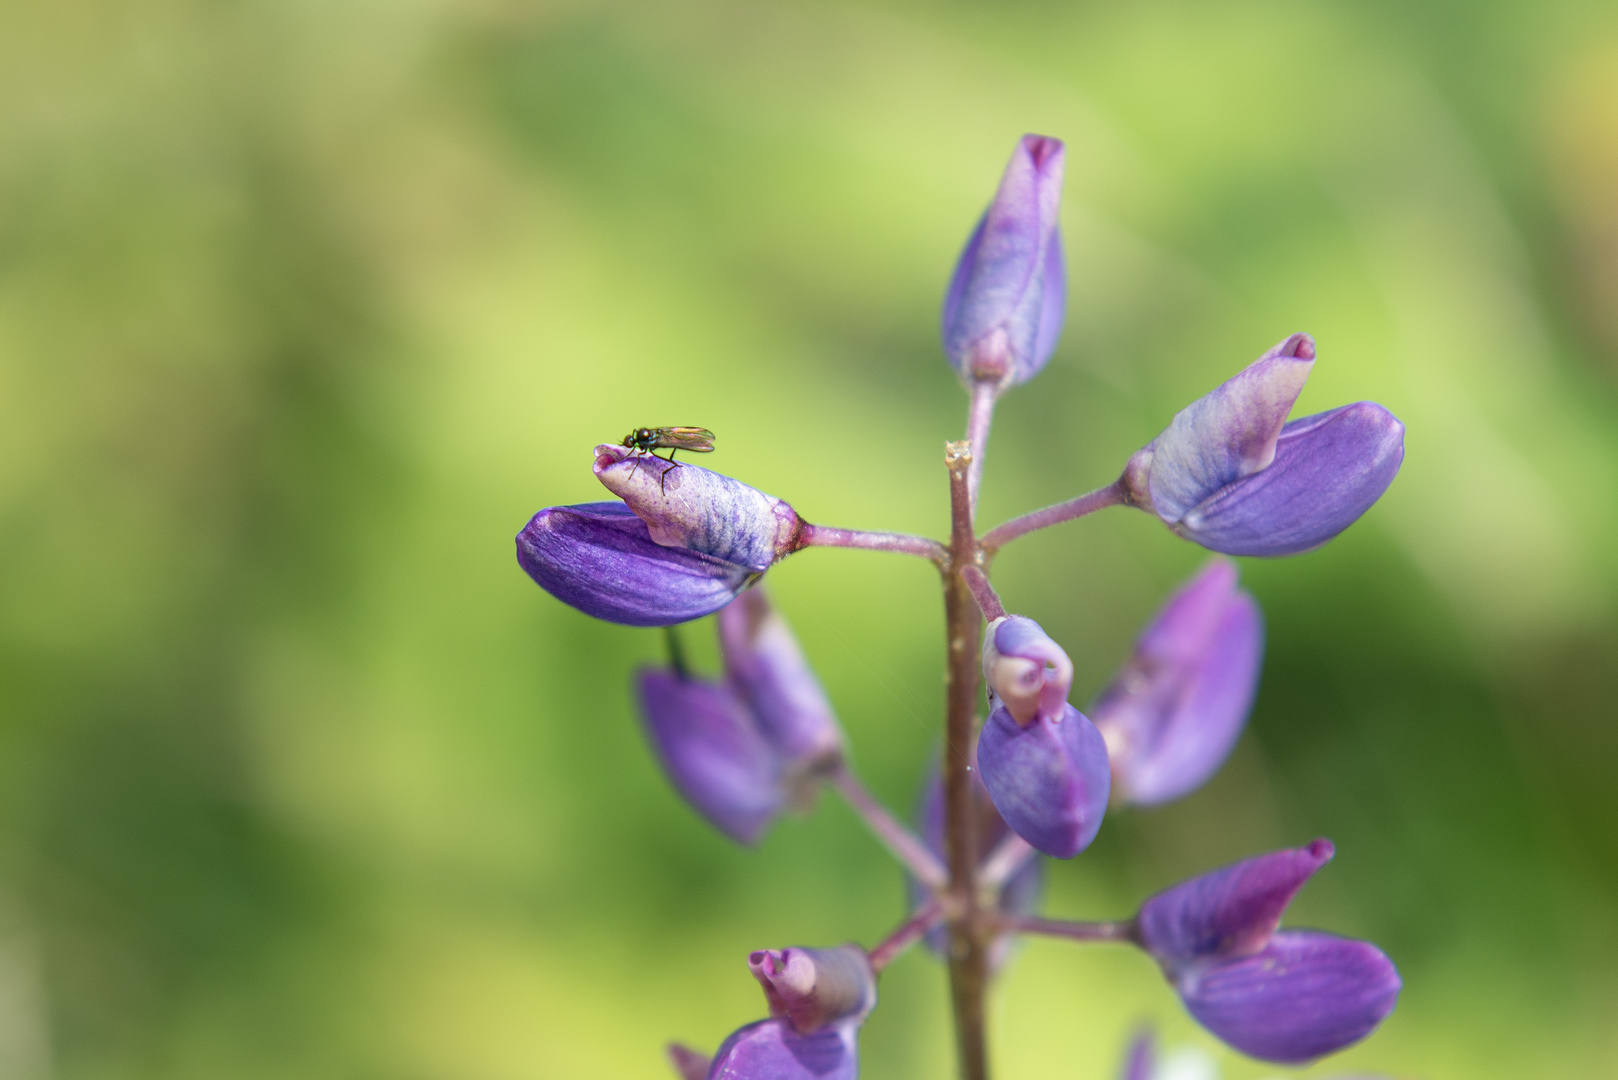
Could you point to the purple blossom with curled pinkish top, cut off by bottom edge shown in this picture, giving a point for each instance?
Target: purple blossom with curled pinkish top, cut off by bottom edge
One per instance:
(818, 1001)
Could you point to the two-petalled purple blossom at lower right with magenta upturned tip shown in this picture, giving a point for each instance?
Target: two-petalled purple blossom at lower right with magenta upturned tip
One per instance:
(1281, 995)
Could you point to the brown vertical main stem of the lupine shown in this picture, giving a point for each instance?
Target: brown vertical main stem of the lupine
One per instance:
(968, 930)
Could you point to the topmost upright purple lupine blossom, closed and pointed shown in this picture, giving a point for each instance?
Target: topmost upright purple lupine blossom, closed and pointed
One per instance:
(1007, 299)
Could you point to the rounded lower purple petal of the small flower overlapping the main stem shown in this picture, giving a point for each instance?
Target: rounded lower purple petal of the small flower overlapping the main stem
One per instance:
(1049, 780)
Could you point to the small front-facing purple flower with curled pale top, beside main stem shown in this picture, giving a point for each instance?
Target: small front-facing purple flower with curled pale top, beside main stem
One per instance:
(1043, 762)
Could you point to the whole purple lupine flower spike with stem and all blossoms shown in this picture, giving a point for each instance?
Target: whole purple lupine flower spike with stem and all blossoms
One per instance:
(1023, 773)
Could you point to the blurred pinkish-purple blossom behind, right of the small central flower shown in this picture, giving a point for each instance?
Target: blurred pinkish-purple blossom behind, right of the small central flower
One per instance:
(1175, 712)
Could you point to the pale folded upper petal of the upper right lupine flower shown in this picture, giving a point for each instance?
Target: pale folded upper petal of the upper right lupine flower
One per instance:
(1229, 433)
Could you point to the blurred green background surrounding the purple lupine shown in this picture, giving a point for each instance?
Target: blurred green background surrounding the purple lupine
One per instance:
(305, 308)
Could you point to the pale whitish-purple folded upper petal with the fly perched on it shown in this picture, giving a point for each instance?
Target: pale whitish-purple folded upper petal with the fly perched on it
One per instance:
(687, 506)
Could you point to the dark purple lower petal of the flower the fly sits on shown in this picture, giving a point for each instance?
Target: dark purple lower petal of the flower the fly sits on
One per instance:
(601, 559)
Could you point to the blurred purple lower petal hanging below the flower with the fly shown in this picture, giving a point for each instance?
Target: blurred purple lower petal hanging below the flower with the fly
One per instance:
(713, 752)
